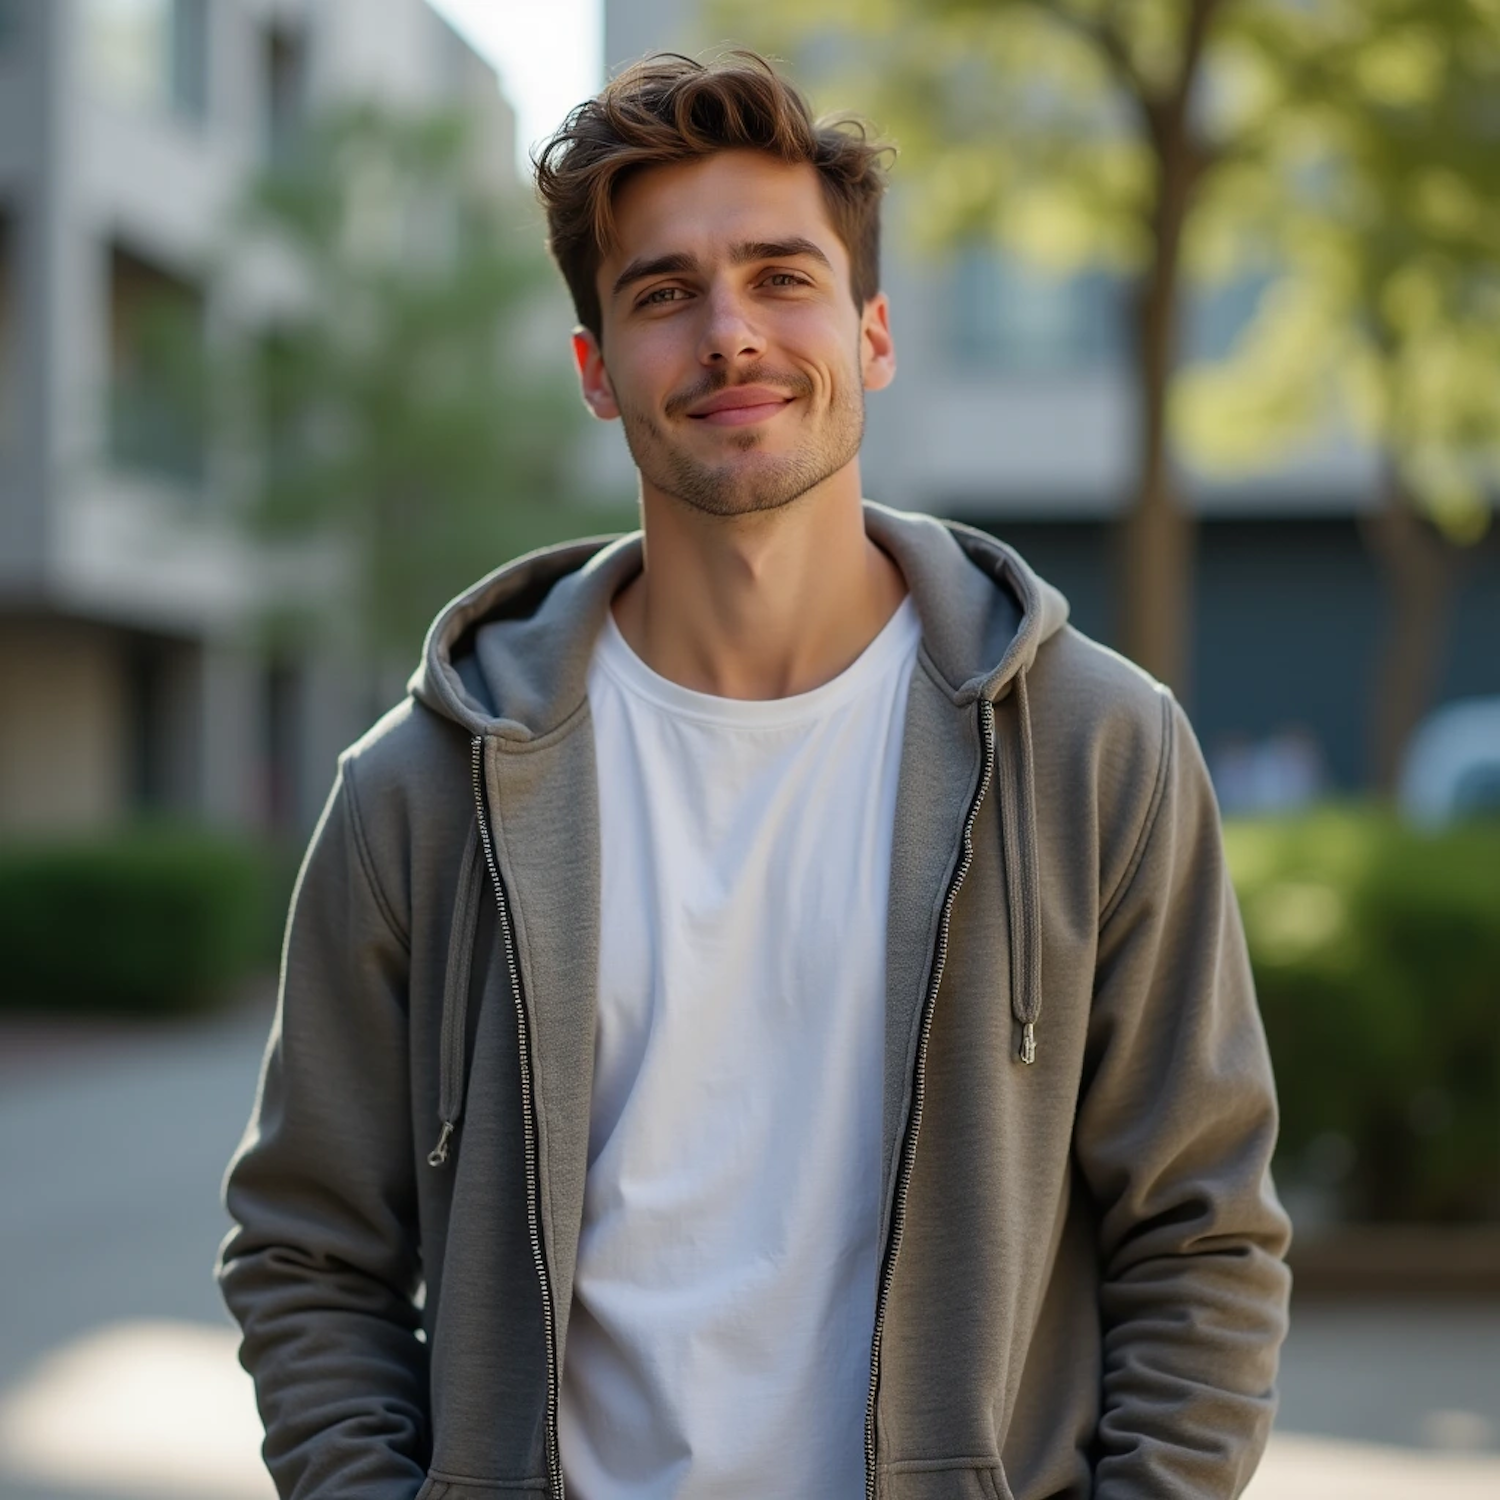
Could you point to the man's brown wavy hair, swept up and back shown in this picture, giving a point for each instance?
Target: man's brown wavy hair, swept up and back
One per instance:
(671, 109)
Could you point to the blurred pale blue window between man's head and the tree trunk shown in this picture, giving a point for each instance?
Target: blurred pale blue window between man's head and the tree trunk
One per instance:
(1010, 317)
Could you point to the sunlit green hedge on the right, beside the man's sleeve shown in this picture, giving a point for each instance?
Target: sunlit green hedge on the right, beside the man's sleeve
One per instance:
(1378, 964)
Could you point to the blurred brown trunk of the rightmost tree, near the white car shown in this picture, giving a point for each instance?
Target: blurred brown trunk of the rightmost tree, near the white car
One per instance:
(1421, 569)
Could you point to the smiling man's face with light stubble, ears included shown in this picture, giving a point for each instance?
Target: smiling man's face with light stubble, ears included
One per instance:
(733, 349)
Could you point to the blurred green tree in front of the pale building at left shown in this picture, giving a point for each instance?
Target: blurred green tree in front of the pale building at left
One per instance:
(406, 415)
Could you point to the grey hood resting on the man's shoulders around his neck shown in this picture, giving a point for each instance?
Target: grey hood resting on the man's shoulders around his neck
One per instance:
(509, 658)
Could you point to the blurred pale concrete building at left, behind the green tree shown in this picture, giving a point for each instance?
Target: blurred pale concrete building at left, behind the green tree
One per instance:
(133, 674)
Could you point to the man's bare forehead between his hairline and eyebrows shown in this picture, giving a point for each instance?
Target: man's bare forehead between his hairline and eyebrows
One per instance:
(707, 206)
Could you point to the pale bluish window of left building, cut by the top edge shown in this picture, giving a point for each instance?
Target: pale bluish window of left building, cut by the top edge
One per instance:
(152, 55)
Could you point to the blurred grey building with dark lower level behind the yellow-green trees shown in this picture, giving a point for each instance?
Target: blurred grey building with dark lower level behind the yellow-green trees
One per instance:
(1013, 410)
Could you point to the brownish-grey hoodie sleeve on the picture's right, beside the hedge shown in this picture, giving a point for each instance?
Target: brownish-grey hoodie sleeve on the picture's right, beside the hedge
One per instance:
(1175, 1133)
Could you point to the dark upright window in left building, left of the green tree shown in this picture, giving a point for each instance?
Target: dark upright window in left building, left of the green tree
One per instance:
(157, 413)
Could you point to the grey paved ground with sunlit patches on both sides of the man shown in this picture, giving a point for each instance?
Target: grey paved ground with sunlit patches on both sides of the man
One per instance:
(118, 1373)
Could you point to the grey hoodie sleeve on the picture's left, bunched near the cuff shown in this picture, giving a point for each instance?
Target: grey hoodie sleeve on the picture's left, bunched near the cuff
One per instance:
(322, 1265)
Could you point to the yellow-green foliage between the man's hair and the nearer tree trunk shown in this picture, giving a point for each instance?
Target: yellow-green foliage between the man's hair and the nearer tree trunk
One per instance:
(1009, 118)
